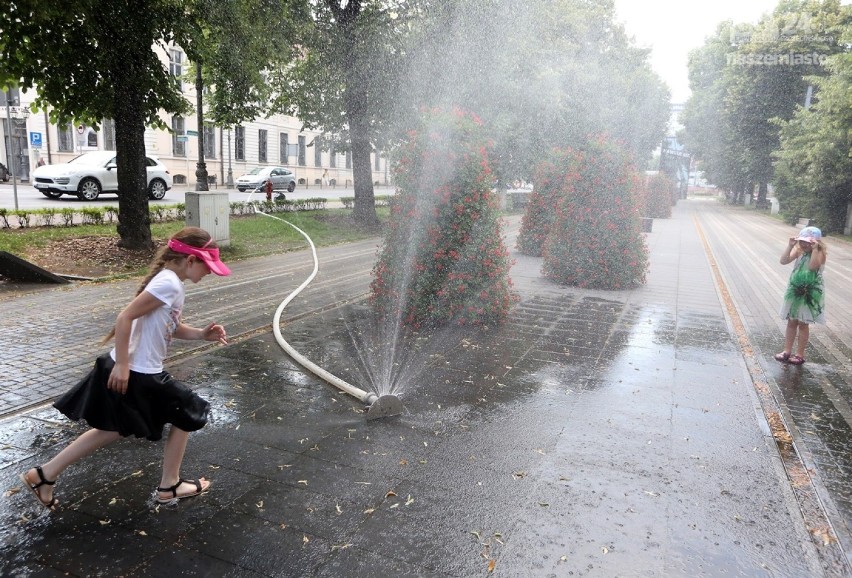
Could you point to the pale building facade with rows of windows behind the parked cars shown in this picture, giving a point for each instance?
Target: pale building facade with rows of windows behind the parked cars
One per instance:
(228, 151)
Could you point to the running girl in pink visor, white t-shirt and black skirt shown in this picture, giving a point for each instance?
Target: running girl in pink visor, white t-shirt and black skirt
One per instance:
(128, 392)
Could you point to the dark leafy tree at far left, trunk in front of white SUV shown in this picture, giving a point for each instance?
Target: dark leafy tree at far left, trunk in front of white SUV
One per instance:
(93, 60)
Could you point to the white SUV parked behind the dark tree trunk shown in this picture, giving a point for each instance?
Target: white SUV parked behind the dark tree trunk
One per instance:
(93, 173)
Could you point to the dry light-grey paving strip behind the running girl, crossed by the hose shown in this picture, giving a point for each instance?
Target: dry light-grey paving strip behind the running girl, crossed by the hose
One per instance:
(49, 338)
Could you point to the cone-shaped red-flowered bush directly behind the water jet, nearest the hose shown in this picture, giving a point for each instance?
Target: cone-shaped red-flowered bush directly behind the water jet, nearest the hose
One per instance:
(443, 259)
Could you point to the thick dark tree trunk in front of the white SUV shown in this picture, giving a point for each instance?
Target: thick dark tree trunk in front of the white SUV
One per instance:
(134, 221)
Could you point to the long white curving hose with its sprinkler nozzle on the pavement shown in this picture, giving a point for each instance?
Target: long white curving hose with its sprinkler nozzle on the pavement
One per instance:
(378, 406)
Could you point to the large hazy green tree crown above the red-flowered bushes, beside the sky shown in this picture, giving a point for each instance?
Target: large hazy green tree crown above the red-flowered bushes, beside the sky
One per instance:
(562, 71)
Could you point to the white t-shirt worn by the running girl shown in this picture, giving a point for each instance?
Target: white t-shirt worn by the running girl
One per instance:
(151, 335)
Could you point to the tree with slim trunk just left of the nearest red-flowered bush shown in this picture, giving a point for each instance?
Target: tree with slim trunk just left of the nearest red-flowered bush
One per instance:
(343, 81)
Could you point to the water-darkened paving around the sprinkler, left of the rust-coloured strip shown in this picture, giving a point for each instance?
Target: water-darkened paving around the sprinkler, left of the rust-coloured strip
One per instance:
(556, 435)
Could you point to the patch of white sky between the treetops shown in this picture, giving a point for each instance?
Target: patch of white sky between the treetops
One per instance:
(673, 27)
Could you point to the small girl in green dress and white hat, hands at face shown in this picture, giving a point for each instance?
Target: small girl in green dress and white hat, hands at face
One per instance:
(804, 300)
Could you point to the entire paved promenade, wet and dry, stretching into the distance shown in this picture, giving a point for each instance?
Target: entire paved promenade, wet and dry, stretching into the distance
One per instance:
(596, 433)
